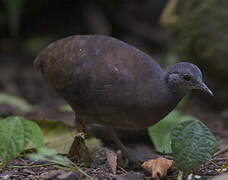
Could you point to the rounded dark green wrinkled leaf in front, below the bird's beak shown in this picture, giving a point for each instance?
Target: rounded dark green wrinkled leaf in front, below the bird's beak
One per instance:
(192, 144)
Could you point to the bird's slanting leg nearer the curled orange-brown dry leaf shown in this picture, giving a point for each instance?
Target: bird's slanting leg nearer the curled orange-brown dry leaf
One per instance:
(122, 147)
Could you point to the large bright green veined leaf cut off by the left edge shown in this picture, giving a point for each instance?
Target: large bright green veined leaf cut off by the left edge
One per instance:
(15, 134)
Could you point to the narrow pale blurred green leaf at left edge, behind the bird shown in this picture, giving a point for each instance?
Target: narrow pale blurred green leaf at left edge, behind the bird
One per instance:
(15, 101)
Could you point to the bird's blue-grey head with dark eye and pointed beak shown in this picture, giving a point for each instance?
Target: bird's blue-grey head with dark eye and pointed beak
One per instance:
(184, 77)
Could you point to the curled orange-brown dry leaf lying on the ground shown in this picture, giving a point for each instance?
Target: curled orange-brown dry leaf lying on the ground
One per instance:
(158, 167)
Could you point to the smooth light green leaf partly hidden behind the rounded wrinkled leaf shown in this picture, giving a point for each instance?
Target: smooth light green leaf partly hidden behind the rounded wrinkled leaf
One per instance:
(160, 132)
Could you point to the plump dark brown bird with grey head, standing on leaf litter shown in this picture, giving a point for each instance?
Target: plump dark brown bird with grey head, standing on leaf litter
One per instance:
(109, 82)
